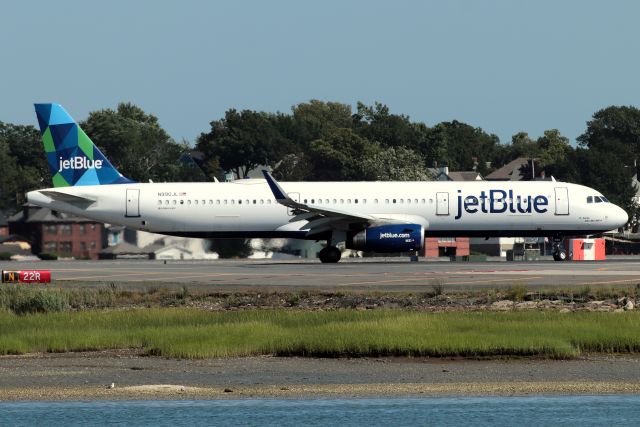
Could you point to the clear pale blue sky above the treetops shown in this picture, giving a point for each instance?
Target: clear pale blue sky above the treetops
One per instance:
(503, 65)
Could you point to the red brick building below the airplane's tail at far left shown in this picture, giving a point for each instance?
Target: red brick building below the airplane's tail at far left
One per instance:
(58, 233)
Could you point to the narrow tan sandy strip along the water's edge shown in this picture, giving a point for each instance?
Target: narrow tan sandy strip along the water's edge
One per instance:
(178, 392)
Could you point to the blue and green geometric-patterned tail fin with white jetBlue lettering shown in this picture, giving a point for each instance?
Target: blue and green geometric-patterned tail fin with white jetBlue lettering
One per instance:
(73, 158)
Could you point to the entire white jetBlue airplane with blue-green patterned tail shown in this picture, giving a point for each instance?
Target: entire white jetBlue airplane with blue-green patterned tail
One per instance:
(381, 217)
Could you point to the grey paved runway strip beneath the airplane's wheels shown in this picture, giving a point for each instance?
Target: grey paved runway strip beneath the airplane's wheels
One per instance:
(367, 274)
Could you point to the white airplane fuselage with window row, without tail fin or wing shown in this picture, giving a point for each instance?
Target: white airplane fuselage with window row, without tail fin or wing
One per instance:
(247, 208)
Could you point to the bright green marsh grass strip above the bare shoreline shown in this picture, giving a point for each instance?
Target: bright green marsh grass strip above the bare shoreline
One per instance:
(189, 333)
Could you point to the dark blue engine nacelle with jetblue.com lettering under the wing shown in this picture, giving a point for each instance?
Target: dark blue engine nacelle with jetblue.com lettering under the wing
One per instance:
(389, 238)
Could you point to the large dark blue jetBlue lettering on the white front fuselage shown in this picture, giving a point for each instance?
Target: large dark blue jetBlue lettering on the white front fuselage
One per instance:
(501, 201)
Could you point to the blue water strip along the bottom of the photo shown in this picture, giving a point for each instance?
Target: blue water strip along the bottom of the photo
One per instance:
(620, 410)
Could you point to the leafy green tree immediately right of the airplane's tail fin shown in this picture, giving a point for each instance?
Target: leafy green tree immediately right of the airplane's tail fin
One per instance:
(135, 143)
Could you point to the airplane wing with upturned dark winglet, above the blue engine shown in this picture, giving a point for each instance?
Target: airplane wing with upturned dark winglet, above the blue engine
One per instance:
(321, 219)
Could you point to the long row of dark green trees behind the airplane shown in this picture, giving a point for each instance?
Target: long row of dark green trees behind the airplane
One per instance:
(320, 141)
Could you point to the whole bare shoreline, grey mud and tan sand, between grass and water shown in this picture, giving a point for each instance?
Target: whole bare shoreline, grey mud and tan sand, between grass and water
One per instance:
(87, 376)
